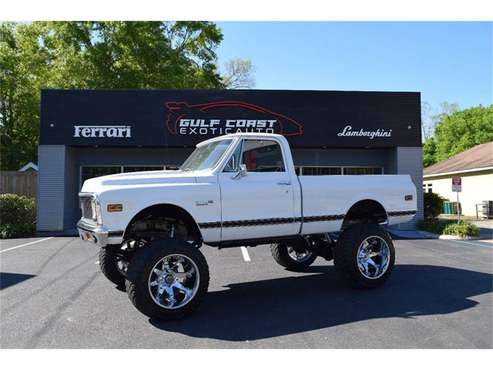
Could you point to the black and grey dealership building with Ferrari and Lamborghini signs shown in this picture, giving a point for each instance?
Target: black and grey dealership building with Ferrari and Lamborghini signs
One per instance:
(89, 133)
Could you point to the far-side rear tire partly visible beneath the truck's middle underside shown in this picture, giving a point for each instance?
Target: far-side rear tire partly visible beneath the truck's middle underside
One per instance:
(292, 256)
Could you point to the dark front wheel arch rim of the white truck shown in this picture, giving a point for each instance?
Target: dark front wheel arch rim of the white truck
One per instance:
(169, 210)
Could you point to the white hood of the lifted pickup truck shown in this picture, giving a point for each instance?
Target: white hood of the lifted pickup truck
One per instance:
(137, 179)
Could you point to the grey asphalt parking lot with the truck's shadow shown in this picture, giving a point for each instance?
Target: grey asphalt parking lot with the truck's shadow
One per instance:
(439, 296)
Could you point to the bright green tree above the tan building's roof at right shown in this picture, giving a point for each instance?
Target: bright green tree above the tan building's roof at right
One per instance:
(462, 130)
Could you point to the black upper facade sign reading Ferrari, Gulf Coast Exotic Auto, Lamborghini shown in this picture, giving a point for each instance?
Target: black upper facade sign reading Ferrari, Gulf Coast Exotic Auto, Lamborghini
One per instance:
(182, 118)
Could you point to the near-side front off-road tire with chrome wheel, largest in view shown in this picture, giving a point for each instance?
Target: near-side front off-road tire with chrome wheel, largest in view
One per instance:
(167, 279)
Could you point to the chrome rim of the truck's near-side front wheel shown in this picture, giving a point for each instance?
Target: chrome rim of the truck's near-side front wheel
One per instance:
(173, 281)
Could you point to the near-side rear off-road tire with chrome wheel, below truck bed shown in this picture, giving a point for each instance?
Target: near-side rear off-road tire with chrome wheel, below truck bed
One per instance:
(364, 255)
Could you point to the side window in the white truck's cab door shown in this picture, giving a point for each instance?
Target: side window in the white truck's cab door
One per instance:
(262, 156)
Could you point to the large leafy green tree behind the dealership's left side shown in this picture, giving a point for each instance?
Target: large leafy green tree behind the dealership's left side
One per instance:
(94, 55)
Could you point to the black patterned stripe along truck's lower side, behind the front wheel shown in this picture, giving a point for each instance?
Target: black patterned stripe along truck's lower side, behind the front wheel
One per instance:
(286, 220)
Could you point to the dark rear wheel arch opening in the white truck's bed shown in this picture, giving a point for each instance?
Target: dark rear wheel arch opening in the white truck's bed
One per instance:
(365, 211)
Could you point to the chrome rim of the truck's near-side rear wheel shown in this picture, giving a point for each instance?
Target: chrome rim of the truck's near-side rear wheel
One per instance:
(373, 257)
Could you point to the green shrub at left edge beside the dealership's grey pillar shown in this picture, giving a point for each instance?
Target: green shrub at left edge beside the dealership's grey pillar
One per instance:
(17, 216)
